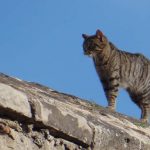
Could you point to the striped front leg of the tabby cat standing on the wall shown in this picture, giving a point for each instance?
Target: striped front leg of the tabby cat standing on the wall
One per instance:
(111, 88)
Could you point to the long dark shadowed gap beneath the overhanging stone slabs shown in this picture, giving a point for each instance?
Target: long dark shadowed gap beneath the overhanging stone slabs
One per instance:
(10, 114)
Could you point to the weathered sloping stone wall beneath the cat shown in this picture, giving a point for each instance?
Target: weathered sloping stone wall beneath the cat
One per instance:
(34, 117)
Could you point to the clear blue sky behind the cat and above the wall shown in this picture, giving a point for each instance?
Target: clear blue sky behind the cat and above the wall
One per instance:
(41, 41)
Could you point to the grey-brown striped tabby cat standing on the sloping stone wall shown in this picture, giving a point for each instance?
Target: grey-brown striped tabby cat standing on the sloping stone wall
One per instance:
(118, 68)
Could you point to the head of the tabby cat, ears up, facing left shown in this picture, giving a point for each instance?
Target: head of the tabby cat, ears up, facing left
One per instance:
(94, 44)
